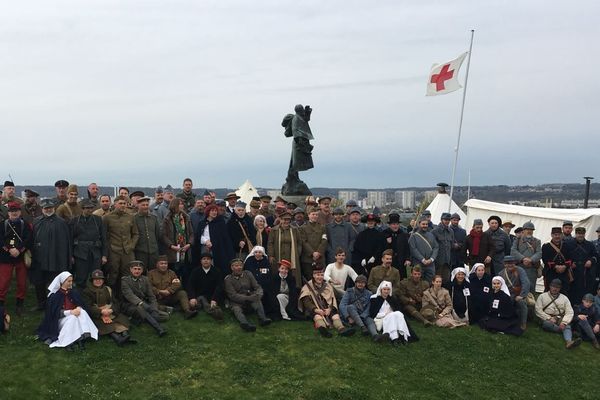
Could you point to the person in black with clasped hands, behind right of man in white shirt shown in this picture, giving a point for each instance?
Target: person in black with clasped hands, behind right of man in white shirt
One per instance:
(368, 246)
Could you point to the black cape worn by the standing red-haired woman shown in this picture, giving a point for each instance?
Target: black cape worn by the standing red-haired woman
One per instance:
(221, 243)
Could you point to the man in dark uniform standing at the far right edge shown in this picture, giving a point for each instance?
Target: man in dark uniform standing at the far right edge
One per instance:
(584, 267)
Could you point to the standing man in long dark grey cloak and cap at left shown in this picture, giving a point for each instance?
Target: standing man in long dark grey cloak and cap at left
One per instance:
(51, 250)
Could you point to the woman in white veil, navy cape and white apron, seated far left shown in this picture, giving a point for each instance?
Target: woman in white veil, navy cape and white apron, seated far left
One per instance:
(66, 322)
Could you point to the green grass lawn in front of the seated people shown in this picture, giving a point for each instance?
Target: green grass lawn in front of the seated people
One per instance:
(200, 359)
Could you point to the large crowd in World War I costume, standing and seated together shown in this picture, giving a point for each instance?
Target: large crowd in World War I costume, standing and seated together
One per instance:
(99, 264)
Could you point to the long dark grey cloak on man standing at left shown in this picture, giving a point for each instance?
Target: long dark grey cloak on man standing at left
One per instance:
(51, 244)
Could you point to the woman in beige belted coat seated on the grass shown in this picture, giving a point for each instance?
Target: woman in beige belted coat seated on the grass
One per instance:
(437, 305)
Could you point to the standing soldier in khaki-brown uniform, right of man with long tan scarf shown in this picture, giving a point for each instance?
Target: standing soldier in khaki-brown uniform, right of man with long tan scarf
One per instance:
(313, 236)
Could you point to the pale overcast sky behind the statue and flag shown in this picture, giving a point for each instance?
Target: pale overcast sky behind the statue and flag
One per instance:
(149, 92)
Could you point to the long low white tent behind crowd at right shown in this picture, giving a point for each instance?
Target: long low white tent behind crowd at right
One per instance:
(543, 218)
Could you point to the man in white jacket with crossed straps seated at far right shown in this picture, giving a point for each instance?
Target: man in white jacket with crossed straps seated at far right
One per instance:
(555, 313)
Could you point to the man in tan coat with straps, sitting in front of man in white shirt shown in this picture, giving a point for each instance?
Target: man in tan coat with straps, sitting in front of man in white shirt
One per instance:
(317, 299)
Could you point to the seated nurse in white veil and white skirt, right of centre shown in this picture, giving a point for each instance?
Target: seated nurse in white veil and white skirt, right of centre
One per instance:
(385, 311)
